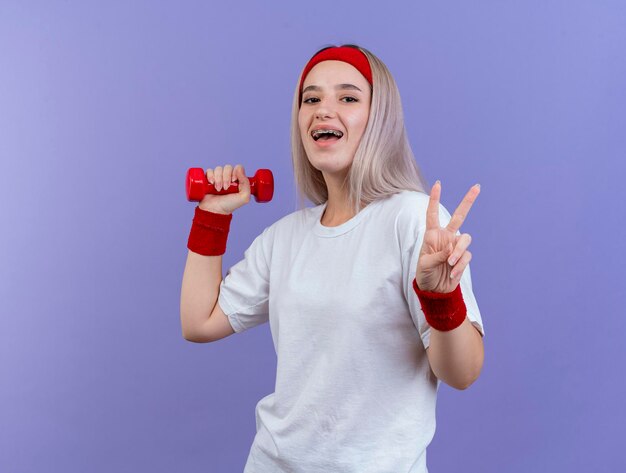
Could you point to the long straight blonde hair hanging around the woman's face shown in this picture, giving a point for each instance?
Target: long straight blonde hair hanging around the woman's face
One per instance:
(383, 163)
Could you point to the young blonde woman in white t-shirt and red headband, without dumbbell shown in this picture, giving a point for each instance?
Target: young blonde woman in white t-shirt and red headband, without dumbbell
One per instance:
(368, 293)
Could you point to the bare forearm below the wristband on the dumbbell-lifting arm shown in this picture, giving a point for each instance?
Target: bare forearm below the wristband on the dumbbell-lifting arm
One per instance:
(200, 290)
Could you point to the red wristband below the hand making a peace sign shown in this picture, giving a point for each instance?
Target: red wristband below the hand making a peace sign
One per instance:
(443, 311)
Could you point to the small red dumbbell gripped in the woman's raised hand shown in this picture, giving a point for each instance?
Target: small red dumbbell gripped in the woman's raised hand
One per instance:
(197, 185)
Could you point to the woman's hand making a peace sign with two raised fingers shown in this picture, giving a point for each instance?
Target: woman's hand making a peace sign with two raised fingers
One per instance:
(444, 253)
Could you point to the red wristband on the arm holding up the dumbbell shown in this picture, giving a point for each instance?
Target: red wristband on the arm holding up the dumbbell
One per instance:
(209, 232)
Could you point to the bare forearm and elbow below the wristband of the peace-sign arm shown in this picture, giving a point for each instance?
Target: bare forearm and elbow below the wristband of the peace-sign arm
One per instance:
(456, 356)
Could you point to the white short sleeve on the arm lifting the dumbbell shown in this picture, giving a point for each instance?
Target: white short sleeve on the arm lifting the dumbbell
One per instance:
(244, 292)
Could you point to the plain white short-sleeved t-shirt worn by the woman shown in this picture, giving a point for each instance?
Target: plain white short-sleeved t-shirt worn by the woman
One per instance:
(354, 390)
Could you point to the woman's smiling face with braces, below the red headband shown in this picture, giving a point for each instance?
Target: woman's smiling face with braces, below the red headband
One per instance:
(335, 95)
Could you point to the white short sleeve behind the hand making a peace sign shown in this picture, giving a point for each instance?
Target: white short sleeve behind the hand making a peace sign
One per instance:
(410, 255)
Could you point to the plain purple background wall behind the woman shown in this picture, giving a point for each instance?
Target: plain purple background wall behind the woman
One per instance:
(104, 106)
